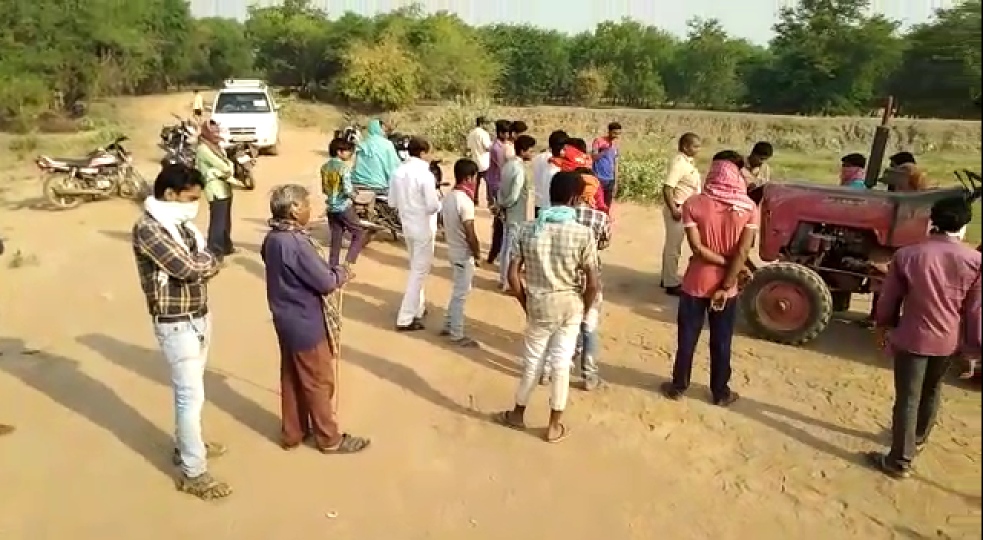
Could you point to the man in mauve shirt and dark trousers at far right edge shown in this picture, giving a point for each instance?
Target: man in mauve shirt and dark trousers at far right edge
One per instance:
(938, 283)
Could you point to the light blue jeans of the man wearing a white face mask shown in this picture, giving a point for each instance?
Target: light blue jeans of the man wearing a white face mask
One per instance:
(185, 347)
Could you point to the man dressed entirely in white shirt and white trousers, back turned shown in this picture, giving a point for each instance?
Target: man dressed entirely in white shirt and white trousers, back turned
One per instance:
(413, 192)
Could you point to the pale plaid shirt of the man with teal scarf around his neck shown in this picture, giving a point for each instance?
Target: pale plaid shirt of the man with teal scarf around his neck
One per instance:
(553, 261)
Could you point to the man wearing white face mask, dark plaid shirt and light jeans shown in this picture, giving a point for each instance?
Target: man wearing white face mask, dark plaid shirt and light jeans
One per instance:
(174, 268)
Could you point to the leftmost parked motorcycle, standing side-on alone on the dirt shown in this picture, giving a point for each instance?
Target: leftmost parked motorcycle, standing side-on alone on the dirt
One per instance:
(105, 172)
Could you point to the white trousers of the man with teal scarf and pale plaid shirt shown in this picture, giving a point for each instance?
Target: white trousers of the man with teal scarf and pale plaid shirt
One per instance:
(549, 343)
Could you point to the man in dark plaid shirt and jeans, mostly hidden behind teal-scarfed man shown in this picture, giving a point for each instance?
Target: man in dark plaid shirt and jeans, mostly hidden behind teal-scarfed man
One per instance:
(600, 224)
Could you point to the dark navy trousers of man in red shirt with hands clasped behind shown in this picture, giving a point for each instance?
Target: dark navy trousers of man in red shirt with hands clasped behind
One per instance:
(693, 311)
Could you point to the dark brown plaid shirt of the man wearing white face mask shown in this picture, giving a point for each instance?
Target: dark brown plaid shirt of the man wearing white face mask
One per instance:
(172, 279)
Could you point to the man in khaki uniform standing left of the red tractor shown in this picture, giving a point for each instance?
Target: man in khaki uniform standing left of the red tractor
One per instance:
(682, 182)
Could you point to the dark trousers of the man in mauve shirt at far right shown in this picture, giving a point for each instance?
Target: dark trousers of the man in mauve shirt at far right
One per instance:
(918, 393)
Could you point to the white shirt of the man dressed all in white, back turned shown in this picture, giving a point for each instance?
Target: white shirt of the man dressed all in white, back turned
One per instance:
(413, 192)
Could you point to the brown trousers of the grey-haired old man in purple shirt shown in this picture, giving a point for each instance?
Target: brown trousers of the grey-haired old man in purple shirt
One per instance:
(307, 388)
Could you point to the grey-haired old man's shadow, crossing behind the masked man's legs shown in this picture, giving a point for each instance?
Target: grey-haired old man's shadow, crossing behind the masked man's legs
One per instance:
(150, 365)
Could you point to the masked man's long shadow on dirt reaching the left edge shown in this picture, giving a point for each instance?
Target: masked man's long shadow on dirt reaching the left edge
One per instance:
(62, 380)
